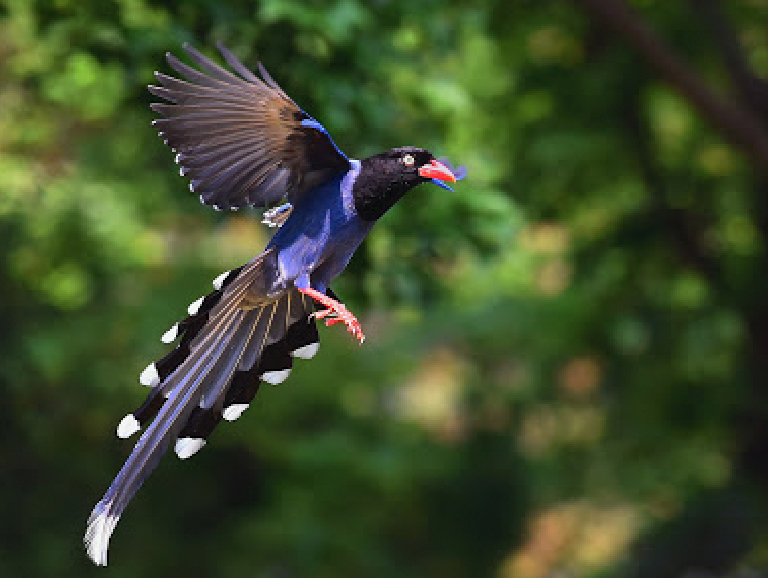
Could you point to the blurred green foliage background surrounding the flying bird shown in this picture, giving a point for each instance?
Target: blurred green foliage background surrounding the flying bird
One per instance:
(566, 368)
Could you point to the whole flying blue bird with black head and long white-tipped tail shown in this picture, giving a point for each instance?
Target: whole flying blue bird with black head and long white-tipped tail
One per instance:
(243, 142)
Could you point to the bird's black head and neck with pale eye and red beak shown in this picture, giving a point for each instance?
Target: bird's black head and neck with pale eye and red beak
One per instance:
(386, 177)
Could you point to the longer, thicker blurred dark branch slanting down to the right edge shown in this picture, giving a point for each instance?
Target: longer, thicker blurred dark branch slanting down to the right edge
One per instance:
(740, 126)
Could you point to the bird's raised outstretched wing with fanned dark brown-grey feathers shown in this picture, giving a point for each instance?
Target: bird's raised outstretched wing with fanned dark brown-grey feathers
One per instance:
(239, 138)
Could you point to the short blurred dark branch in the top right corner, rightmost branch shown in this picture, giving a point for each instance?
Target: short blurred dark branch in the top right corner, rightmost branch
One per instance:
(752, 89)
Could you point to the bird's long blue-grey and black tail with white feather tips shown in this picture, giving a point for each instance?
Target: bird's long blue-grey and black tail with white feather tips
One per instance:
(233, 338)
